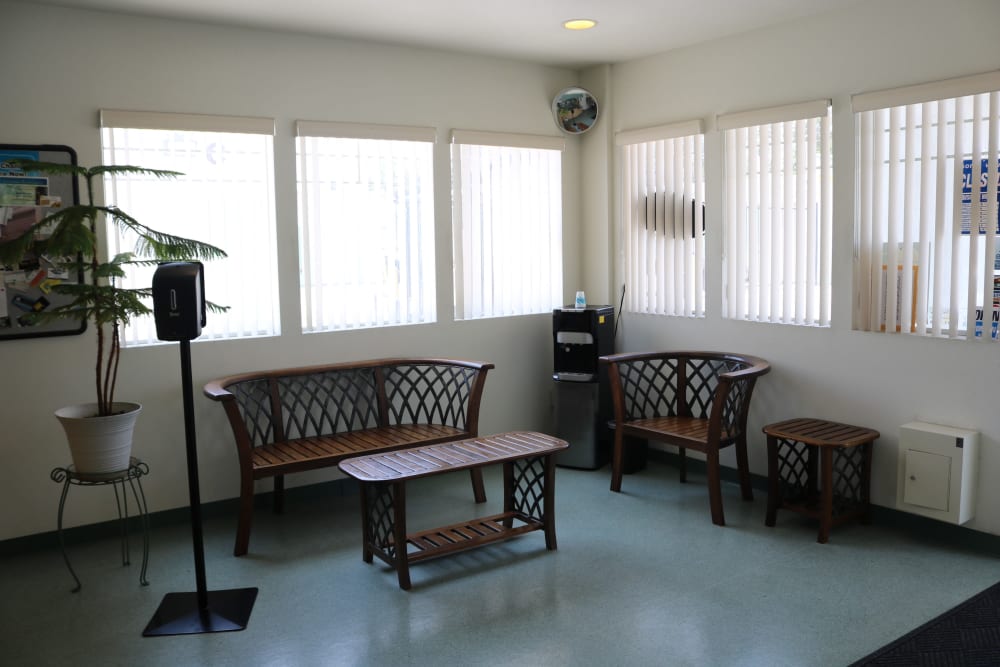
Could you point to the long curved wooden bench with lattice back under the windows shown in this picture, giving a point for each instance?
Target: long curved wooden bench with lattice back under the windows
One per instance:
(297, 419)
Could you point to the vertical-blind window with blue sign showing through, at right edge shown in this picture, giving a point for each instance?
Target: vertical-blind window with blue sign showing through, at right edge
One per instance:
(928, 172)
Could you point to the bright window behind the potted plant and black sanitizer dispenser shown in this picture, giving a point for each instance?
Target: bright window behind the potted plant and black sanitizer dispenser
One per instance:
(251, 317)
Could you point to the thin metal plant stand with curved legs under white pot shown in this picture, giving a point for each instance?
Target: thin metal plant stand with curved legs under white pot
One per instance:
(131, 476)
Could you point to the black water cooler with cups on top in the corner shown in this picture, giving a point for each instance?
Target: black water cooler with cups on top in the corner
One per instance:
(581, 400)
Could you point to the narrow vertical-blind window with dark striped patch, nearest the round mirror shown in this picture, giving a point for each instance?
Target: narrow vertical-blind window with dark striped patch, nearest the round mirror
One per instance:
(663, 219)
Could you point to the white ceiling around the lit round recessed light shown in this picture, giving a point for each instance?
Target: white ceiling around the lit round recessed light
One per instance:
(521, 29)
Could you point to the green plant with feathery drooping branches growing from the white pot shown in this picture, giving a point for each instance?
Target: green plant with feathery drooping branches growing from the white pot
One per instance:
(72, 233)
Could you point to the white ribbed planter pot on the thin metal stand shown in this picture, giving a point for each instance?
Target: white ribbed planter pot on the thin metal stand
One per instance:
(99, 444)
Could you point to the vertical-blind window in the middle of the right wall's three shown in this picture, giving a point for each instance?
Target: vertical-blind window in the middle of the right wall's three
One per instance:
(778, 214)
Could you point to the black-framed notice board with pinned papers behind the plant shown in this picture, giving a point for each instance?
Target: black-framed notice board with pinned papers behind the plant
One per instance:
(26, 198)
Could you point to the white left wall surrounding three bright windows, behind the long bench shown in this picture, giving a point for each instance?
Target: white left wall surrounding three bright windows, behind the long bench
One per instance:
(60, 66)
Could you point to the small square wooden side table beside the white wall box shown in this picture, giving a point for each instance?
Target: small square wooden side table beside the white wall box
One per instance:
(841, 490)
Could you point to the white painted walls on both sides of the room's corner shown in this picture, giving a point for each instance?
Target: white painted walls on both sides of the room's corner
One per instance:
(60, 66)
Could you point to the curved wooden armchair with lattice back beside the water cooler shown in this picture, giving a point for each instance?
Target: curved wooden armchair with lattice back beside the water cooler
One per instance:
(692, 400)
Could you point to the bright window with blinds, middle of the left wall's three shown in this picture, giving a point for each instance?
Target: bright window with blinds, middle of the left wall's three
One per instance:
(366, 225)
